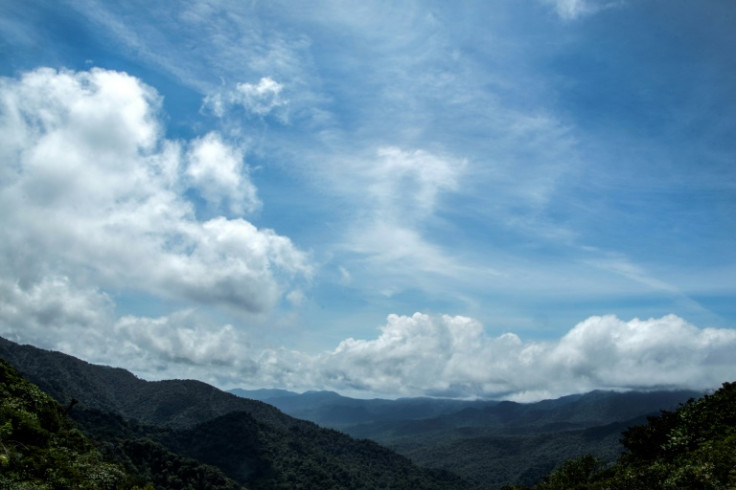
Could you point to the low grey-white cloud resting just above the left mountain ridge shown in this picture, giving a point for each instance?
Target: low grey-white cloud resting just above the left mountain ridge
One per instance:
(54, 314)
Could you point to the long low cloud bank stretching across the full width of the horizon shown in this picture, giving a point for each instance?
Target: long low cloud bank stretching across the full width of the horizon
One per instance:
(421, 354)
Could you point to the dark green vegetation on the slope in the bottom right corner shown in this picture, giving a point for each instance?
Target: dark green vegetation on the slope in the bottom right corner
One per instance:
(692, 447)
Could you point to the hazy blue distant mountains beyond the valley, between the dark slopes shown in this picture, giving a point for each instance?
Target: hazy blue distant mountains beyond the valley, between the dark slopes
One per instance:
(490, 443)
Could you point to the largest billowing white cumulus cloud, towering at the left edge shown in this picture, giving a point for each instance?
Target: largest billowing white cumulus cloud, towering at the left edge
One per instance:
(93, 192)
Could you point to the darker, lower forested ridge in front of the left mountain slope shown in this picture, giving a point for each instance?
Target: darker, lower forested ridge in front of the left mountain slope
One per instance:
(257, 455)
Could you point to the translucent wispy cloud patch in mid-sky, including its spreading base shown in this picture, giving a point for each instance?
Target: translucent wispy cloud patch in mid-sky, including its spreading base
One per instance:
(392, 197)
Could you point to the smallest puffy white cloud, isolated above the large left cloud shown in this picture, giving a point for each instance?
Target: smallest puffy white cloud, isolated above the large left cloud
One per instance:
(261, 99)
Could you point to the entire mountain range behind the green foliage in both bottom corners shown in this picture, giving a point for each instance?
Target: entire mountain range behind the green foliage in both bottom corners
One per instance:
(162, 430)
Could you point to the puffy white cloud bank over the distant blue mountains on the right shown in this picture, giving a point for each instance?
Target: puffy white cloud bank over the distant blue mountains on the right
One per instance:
(453, 356)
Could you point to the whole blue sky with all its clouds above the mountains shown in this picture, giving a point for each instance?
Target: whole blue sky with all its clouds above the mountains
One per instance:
(515, 199)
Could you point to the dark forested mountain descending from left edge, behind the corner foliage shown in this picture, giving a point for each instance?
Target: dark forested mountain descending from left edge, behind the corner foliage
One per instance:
(143, 423)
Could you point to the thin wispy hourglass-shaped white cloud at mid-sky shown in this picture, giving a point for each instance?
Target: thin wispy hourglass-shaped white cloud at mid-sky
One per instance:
(398, 190)
